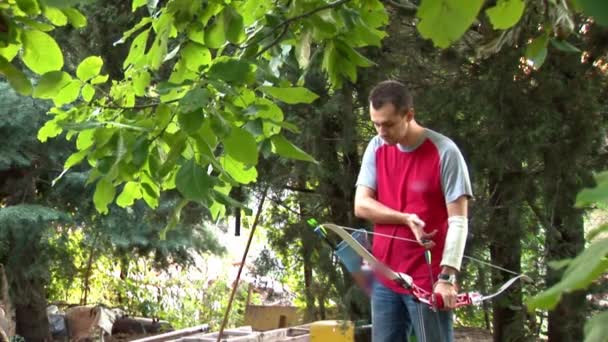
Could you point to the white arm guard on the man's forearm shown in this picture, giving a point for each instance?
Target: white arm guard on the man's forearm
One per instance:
(455, 241)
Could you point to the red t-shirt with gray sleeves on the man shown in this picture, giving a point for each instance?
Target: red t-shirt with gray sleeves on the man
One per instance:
(420, 181)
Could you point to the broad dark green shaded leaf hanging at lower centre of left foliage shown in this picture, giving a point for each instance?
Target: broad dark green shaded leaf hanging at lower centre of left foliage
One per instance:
(194, 183)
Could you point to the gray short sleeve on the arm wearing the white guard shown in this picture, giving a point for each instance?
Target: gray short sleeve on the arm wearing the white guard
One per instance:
(454, 174)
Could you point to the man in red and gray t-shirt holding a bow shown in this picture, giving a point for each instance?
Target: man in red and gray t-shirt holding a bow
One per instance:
(413, 185)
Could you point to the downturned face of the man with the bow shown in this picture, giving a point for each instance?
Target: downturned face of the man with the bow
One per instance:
(390, 124)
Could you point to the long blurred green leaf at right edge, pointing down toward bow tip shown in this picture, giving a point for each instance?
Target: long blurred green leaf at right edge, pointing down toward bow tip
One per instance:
(583, 270)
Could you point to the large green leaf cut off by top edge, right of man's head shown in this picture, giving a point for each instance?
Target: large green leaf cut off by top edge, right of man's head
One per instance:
(445, 21)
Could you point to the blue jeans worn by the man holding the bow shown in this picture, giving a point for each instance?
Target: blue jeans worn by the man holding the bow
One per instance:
(394, 315)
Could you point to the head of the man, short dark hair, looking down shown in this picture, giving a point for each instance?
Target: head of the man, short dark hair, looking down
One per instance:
(391, 109)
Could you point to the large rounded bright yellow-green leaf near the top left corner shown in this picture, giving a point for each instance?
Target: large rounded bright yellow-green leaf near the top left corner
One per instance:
(40, 52)
